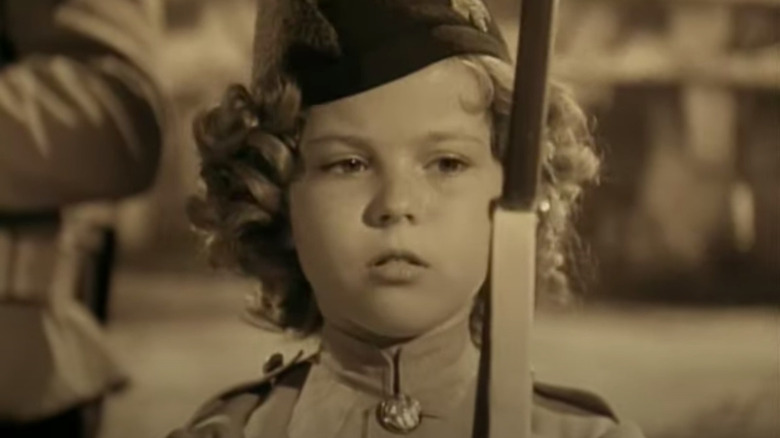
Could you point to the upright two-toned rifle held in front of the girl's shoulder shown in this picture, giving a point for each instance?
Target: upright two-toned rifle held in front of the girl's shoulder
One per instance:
(506, 374)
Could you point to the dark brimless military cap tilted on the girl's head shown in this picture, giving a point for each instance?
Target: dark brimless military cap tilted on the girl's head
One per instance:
(337, 48)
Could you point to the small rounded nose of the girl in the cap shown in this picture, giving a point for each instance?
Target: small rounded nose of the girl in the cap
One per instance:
(398, 199)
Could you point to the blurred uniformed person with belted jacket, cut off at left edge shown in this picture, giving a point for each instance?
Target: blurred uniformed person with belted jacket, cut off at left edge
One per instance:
(79, 122)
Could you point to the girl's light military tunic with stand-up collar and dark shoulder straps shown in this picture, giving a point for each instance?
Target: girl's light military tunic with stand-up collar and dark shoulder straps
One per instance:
(335, 393)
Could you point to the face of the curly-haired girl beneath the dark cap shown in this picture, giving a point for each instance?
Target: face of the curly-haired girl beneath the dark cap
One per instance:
(391, 215)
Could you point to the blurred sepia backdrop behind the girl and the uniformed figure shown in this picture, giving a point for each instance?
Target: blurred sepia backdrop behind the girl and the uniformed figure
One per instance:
(679, 326)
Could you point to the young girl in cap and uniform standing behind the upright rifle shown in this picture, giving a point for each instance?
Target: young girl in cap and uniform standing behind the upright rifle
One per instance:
(356, 181)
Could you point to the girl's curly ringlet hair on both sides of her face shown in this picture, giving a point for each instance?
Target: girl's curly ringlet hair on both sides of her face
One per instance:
(248, 150)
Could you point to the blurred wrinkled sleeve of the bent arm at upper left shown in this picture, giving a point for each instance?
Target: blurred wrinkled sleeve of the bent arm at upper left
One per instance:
(80, 115)
